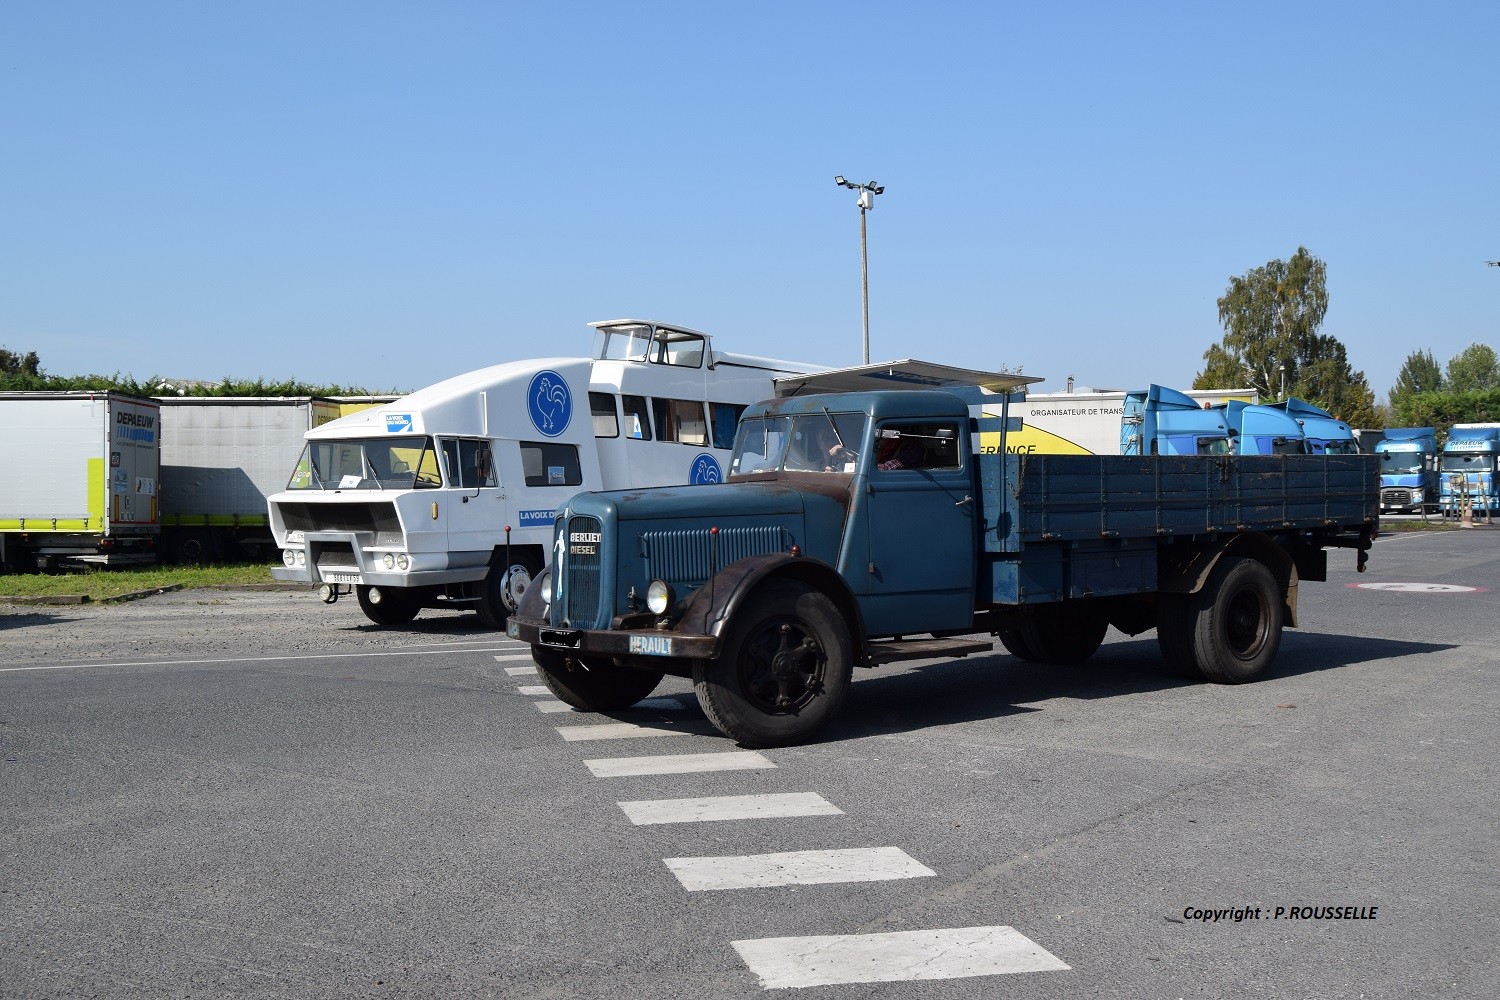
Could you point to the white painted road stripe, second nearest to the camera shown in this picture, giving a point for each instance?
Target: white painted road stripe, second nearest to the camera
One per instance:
(797, 869)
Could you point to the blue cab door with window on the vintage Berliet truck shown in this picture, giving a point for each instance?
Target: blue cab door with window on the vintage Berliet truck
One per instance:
(922, 518)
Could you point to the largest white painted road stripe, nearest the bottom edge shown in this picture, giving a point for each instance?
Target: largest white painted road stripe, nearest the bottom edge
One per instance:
(959, 953)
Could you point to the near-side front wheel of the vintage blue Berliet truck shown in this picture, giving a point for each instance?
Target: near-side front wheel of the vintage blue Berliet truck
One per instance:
(785, 626)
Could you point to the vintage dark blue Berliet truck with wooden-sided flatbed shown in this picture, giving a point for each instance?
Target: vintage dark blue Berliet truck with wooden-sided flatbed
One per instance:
(863, 527)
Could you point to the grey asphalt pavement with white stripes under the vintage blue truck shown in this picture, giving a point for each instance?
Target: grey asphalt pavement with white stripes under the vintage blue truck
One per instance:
(217, 794)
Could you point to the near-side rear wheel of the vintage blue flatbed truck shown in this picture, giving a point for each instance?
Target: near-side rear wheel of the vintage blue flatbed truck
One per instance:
(1237, 621)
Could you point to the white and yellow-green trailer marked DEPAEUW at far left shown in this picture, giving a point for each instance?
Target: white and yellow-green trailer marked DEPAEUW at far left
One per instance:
(83, 484)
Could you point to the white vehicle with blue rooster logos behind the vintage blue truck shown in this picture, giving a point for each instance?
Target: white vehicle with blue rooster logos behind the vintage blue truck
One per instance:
(446, 497)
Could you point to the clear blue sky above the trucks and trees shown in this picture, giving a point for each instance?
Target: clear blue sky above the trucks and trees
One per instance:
(388, 194)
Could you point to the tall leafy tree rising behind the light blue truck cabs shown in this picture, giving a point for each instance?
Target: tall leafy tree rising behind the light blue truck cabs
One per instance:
(1271, 319)
